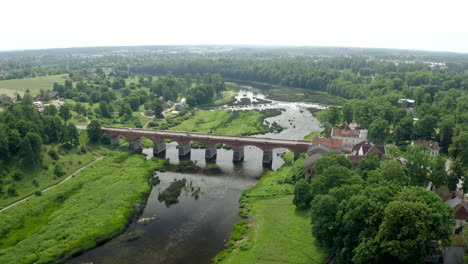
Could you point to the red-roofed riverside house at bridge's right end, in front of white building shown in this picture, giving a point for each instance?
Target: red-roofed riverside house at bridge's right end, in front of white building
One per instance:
(319, 146)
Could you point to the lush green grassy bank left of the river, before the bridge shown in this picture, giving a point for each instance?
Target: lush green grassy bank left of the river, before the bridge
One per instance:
(88, 209)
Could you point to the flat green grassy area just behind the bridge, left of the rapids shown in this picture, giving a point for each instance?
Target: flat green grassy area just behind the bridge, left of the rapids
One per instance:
(225, 123)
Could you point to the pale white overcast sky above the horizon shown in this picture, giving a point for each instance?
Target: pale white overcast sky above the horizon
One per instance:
(405, 24)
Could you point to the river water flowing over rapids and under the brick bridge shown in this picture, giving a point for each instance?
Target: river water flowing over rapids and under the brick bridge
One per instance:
(196, 227)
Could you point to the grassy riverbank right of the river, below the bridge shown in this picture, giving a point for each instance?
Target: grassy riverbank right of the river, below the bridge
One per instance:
(272, 229)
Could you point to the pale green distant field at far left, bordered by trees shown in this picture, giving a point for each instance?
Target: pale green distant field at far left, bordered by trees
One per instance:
(10, 87)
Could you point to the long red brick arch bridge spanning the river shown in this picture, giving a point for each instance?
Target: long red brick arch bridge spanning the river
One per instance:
(135, 135)
